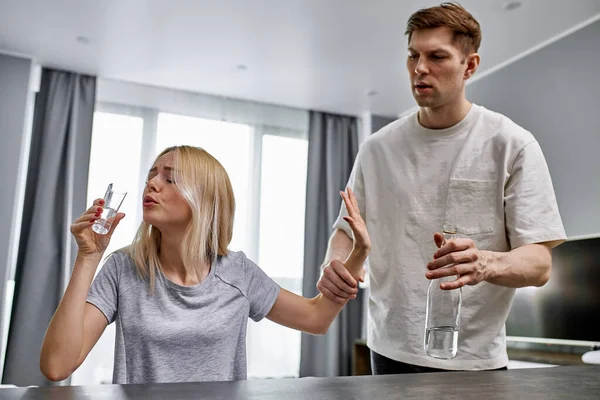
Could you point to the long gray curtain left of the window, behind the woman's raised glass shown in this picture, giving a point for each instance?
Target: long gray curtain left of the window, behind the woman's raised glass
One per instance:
(55, 195)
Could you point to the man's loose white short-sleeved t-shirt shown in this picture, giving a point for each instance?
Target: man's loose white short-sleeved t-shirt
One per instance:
(487, 176)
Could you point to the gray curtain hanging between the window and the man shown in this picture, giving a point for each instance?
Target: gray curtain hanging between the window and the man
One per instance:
(332, 148)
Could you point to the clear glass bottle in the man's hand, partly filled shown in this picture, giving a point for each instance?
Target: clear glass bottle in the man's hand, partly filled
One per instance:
(443, 313)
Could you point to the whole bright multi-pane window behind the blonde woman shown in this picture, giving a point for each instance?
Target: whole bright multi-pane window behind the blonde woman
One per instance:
(267, 168)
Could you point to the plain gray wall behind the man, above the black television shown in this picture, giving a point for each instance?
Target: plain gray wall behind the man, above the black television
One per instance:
(555, 94)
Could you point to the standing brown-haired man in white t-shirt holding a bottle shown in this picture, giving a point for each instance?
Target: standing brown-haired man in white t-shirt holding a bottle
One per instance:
(451, 162)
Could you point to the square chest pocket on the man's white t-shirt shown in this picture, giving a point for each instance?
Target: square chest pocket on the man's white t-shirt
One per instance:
(471, 205)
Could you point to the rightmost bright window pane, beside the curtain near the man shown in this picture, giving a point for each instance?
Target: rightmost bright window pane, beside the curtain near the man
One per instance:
(274, 350)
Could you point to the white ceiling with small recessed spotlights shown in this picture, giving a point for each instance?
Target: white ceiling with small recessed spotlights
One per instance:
(317, 54)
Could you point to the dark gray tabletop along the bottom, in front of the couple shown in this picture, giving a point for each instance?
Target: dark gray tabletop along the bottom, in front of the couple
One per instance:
(567, 382)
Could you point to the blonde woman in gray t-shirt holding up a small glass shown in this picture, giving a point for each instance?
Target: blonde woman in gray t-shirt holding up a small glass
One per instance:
(179, 297)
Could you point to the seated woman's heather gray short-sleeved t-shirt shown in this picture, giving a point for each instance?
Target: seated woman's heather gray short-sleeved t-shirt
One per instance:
(182, 333)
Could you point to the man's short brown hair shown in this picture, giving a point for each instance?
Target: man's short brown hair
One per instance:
(467, 32)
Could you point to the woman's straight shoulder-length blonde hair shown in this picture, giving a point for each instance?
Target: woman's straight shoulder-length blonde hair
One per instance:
(202, 181)
